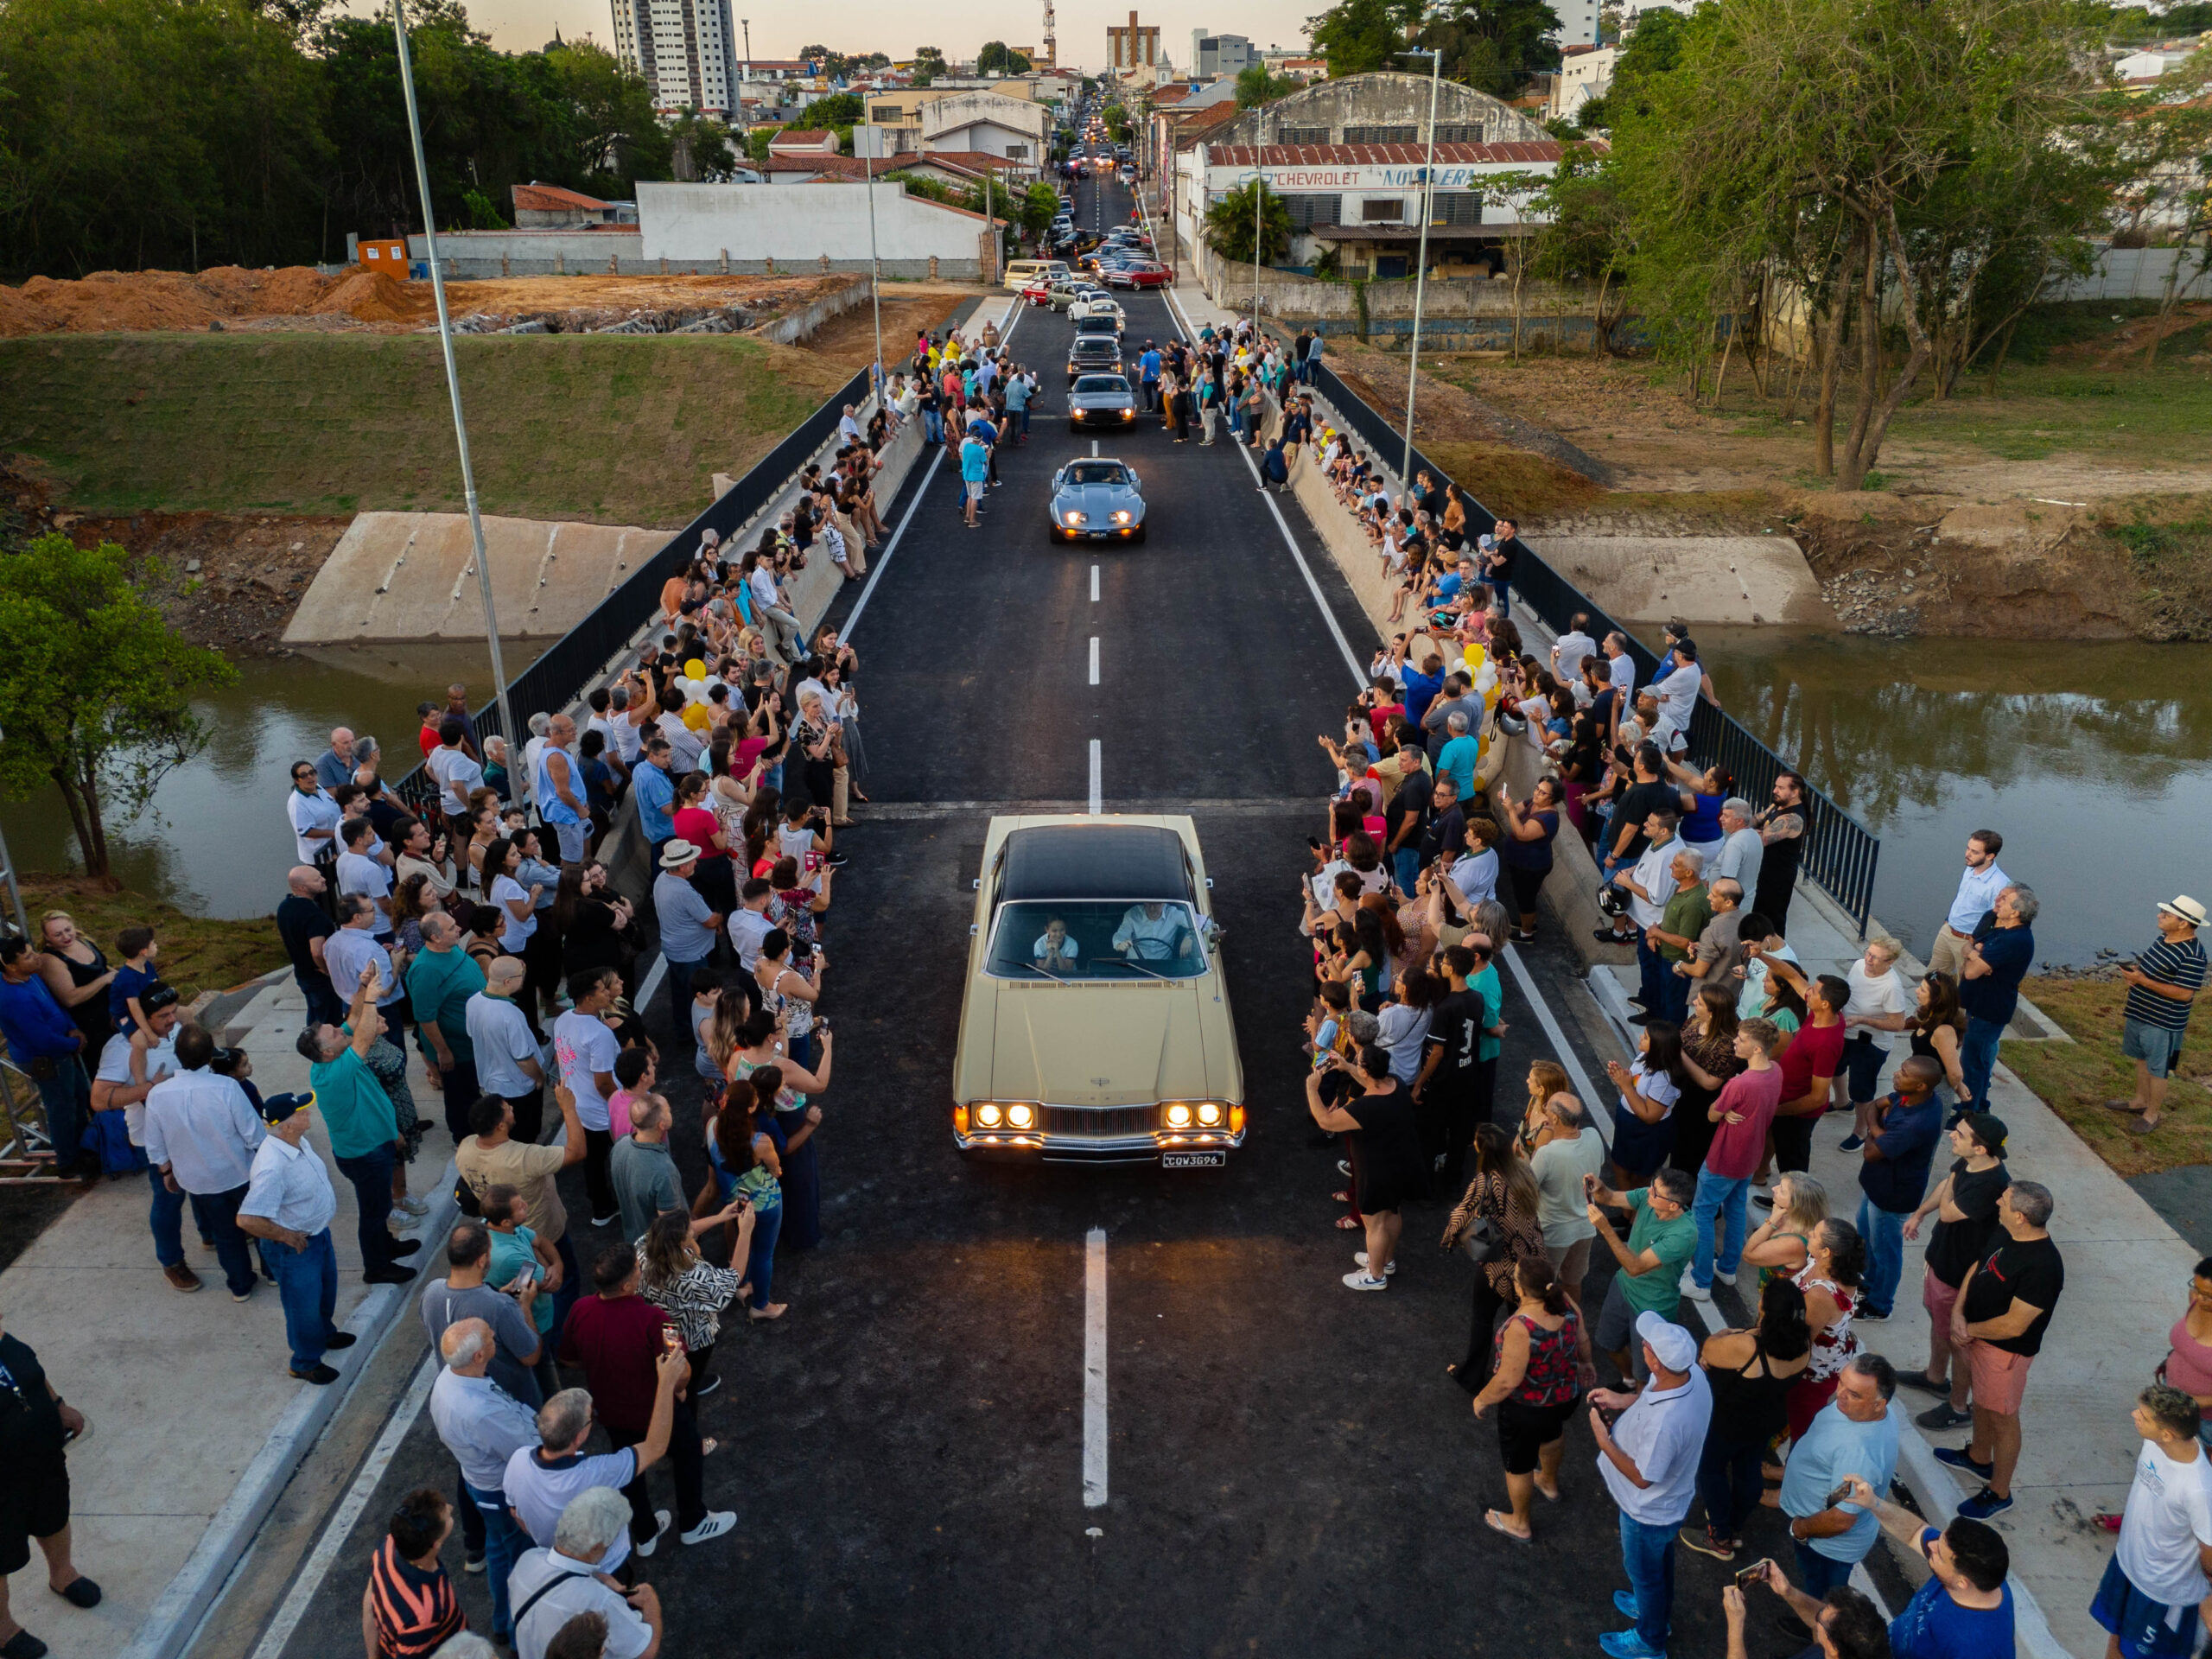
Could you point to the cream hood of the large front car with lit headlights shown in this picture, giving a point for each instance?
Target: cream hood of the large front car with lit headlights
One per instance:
(1100, 1045)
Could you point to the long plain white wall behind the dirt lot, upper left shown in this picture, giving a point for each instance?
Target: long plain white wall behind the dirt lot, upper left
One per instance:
(804, 225)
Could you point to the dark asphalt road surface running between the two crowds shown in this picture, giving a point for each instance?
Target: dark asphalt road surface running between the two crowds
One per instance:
(1288, 1468)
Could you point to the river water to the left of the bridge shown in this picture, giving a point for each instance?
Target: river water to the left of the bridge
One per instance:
(218, 842)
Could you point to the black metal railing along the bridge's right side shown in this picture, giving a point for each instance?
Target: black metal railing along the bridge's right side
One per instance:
(1839, 853)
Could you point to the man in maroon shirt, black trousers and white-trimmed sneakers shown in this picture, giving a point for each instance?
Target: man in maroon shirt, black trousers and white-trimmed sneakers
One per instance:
(618, 1339)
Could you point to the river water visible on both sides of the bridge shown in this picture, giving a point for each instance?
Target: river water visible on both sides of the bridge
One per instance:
(2094, 762)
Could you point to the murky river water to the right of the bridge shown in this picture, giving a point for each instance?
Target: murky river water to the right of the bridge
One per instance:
(2091, 760)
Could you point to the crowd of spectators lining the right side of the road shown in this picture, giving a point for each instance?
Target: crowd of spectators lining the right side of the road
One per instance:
(1704, 1173)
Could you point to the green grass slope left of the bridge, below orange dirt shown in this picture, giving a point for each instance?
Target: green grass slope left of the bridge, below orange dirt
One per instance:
(623, 430)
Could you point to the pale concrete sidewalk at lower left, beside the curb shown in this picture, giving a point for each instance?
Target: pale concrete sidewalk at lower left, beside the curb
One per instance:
(194, 1421)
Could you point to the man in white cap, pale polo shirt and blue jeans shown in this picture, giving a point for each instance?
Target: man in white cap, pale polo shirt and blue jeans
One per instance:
(1649, 1461)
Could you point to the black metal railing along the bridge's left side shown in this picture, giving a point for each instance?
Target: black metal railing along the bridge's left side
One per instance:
(578, 656)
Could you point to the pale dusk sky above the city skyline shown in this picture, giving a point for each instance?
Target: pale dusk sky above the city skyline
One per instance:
(959, 28)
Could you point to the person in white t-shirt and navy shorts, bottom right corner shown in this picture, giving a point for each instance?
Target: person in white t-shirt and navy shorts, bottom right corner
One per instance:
(2162, 1567)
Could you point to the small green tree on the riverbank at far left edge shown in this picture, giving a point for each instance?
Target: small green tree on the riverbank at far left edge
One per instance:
(96, 689)
